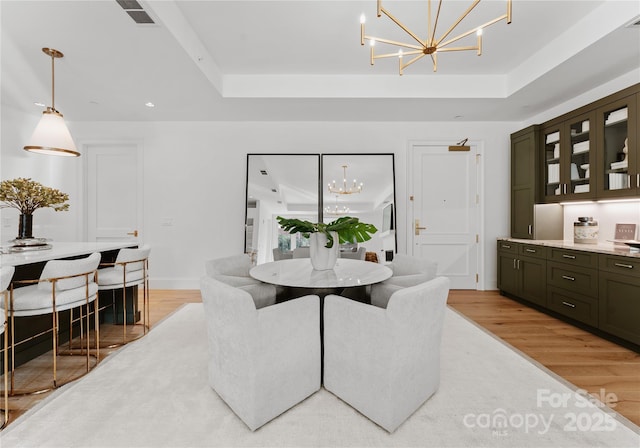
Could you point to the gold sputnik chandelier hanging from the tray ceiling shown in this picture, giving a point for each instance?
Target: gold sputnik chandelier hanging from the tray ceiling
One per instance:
(431, 45)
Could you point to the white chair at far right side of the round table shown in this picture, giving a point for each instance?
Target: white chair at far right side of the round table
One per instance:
(407, 271)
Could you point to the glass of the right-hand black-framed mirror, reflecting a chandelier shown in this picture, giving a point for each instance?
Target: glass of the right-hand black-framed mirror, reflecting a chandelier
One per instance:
(367, 192)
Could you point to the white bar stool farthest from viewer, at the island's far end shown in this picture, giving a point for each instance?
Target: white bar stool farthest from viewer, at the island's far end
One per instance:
(131, 268)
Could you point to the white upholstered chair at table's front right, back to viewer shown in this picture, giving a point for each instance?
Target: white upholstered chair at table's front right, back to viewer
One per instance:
(385, 363)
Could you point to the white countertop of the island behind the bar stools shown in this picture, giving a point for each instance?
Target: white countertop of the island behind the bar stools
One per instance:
(60, 250)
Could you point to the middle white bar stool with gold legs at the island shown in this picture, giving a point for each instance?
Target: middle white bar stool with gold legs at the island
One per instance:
(63, 285)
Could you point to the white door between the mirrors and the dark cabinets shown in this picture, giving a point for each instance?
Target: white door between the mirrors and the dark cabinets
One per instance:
(445, 220)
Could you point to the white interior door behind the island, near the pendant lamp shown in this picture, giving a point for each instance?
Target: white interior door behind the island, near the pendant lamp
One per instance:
(114, 191)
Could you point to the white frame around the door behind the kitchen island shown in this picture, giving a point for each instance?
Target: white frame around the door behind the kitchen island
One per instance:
(84, 200)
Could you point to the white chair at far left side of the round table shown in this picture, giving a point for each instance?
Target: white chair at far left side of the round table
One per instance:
(234, 271)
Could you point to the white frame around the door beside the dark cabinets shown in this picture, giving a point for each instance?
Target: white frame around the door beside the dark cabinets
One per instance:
(479, 144)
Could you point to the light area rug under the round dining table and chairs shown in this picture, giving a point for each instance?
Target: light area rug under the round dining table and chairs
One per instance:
(154, 393)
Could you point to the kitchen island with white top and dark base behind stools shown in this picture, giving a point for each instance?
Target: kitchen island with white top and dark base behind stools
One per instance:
(29, 266)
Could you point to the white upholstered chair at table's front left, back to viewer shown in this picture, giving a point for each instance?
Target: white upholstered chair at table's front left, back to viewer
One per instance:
(261, 361)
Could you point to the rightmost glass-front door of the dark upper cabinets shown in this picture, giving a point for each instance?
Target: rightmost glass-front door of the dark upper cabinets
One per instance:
(618, 156)
